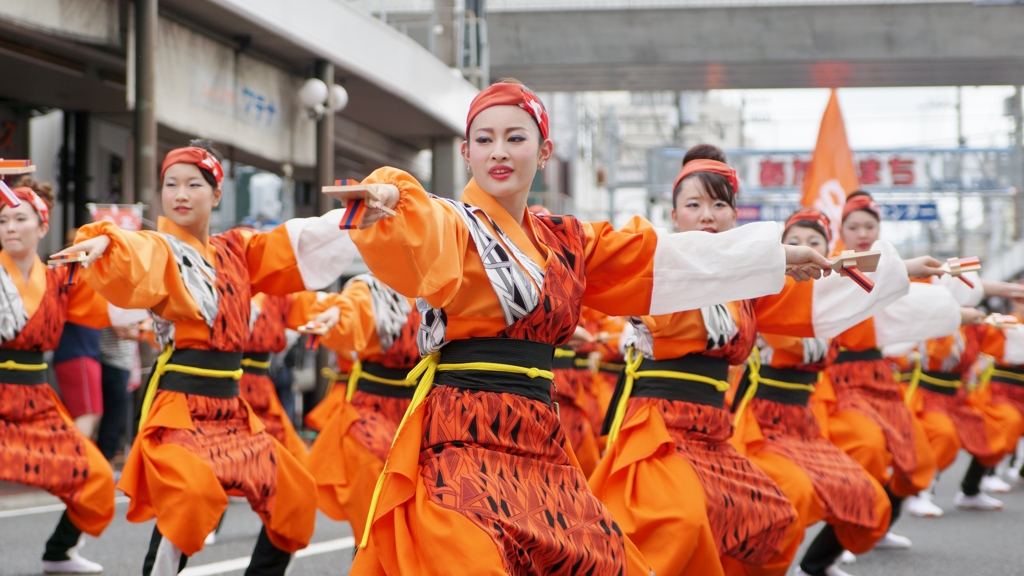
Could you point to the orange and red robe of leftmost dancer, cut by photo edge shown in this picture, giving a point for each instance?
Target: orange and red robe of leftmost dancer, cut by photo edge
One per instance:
(39, 444)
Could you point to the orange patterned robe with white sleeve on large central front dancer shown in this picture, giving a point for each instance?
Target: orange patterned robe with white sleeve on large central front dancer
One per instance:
(487, 477)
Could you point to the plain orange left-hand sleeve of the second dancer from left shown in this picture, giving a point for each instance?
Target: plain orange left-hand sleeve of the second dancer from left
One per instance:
(139, 272)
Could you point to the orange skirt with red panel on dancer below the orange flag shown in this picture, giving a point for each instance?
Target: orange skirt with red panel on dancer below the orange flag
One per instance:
(871, 423)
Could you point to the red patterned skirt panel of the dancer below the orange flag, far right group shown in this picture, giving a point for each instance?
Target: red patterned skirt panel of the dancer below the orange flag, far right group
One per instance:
(869, 388)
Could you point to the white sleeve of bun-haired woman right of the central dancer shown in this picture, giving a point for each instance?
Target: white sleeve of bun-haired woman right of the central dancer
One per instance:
(839, 304)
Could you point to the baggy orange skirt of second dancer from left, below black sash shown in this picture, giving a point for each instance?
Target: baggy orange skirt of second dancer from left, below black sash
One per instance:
(194, 451)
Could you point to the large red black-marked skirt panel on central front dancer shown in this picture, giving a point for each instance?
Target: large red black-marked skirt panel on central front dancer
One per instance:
(500, 461)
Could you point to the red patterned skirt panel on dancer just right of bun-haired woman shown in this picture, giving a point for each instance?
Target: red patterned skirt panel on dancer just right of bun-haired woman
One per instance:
(793, 432)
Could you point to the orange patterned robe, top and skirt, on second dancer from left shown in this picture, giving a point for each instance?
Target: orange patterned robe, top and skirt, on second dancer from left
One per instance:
(194, 450)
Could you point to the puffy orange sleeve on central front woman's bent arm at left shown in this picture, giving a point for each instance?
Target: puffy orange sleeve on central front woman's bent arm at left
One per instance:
(420, 252)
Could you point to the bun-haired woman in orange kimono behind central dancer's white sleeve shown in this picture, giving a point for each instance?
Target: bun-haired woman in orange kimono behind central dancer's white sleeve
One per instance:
(670, 430)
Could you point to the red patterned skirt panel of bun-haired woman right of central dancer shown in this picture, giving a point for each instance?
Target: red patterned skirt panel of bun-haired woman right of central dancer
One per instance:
(748, 513)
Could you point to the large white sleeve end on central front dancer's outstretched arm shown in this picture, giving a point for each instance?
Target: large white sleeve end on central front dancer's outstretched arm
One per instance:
(694, 270)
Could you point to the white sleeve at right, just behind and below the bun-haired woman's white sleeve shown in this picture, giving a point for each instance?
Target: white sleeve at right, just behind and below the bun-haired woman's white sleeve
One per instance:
(927, 312)
